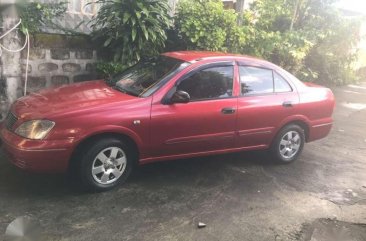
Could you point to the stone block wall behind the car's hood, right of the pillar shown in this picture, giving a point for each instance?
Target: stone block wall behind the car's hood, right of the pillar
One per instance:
(54, 65)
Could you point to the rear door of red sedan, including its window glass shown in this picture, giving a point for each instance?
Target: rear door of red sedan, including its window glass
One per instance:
(266, 99)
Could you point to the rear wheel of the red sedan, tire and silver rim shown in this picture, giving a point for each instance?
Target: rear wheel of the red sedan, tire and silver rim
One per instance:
(288, 144)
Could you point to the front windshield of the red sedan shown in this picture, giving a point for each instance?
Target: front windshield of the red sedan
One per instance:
(146, 77)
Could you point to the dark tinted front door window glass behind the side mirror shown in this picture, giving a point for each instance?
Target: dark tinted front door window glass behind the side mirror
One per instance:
(210, 83)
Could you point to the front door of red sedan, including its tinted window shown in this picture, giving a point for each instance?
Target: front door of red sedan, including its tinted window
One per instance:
(206, 123)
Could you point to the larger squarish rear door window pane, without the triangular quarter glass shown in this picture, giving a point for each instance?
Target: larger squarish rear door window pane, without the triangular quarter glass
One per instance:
(255, 80)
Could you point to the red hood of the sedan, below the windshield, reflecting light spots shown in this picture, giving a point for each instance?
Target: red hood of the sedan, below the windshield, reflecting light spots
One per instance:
(67, 99)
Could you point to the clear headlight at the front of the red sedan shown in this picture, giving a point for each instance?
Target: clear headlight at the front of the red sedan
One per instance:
(35, 129)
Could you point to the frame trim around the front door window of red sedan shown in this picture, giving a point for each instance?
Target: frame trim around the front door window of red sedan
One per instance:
(191, 72)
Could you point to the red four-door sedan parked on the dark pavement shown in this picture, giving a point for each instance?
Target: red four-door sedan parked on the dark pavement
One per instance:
(178, 105)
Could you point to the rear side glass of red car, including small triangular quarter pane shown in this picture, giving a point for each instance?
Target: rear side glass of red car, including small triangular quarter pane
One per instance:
(254, 80)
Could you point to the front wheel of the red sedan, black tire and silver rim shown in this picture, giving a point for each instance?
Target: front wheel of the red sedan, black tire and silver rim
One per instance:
(105, 164)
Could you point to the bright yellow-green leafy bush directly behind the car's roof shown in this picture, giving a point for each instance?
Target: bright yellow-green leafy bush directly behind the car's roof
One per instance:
(206, 25)
